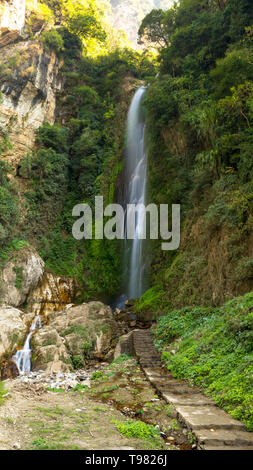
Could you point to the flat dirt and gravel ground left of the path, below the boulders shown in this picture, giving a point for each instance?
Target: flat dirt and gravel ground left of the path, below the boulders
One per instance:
(84, 410)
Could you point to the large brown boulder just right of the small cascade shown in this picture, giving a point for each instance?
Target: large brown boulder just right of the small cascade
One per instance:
(75, 335)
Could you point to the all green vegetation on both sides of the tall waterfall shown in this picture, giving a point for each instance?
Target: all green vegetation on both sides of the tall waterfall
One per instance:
(200, 134)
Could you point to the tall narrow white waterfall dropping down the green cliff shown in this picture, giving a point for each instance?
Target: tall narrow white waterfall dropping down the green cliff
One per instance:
(135, 263)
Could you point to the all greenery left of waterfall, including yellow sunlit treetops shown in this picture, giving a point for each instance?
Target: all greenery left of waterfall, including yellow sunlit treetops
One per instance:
(74, 162)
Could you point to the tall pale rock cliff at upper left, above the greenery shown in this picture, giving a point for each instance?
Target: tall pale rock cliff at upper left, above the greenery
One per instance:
(29, 82)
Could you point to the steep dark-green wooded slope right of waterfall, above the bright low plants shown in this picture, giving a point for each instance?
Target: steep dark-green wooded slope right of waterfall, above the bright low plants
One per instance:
(199, 112)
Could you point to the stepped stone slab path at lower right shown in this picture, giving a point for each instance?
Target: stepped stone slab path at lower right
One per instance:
(213, 428)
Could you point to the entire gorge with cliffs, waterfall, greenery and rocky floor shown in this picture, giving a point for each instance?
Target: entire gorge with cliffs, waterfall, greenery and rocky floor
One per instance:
(85, 114)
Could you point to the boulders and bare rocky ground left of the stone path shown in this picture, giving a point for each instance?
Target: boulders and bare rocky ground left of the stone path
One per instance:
(86, 390)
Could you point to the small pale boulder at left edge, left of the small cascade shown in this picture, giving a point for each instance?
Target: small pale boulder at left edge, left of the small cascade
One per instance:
(12, 329)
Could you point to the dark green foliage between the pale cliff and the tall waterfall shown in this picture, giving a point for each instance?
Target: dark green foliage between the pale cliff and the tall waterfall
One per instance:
(75, 162)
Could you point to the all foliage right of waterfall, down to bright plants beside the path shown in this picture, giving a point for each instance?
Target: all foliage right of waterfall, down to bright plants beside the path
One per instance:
(200, 155)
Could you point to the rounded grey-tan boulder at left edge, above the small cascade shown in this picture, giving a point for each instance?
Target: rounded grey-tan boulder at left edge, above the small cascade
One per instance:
(20, 276)
